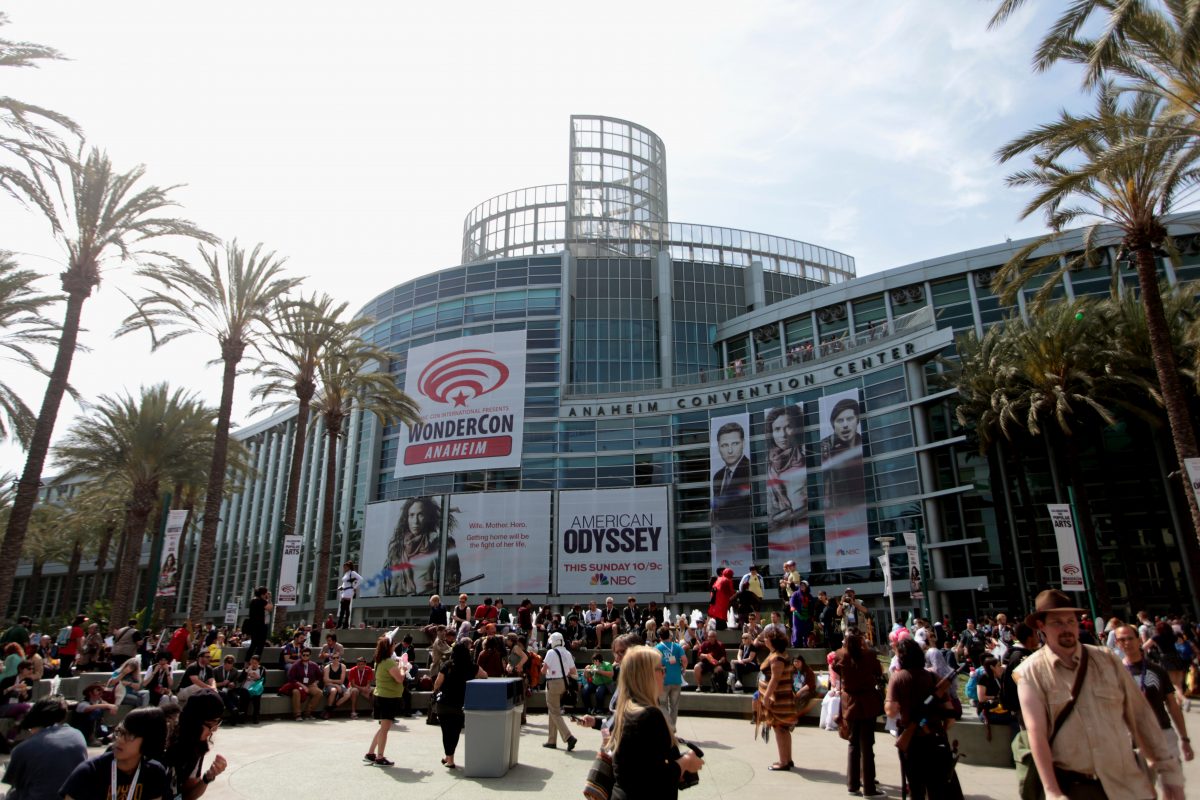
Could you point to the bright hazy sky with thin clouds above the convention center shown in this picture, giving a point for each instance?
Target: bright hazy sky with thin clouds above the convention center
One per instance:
(355, 140)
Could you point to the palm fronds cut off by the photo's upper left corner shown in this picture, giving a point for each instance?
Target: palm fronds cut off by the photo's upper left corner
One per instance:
(31, 135)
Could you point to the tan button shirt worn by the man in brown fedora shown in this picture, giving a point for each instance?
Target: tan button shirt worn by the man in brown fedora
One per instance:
(1096, 738)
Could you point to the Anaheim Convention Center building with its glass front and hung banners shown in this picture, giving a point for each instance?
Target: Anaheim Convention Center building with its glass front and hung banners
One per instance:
(619, 405)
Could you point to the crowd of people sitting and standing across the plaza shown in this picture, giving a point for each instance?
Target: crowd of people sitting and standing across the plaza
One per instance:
(1012, 676)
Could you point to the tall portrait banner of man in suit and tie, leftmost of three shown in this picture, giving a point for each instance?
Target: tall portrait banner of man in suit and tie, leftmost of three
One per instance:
(733, 507)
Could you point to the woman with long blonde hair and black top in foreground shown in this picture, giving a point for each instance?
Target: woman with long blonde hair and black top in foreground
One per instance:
(646, 760)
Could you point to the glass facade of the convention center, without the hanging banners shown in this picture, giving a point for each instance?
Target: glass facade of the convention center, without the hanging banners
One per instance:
(631, 357)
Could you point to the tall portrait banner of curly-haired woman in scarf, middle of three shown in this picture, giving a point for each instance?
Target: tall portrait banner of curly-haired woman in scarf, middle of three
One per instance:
(788, 488)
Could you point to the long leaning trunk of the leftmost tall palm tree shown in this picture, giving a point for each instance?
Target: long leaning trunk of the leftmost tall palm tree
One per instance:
(40, 444)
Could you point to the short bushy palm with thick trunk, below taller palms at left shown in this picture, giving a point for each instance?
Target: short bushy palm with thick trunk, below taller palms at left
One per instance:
(141, 442)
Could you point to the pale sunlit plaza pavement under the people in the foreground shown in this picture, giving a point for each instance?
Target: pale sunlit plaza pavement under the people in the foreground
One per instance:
(320, 760)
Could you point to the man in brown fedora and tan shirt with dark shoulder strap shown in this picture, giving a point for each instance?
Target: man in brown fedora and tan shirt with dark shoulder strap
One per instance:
(1085, 694)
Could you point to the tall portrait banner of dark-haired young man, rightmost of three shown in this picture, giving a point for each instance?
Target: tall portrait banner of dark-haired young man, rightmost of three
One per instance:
(844, 486)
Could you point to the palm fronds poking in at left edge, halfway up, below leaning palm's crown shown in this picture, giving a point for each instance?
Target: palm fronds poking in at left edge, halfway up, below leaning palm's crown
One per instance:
(22, 327)
